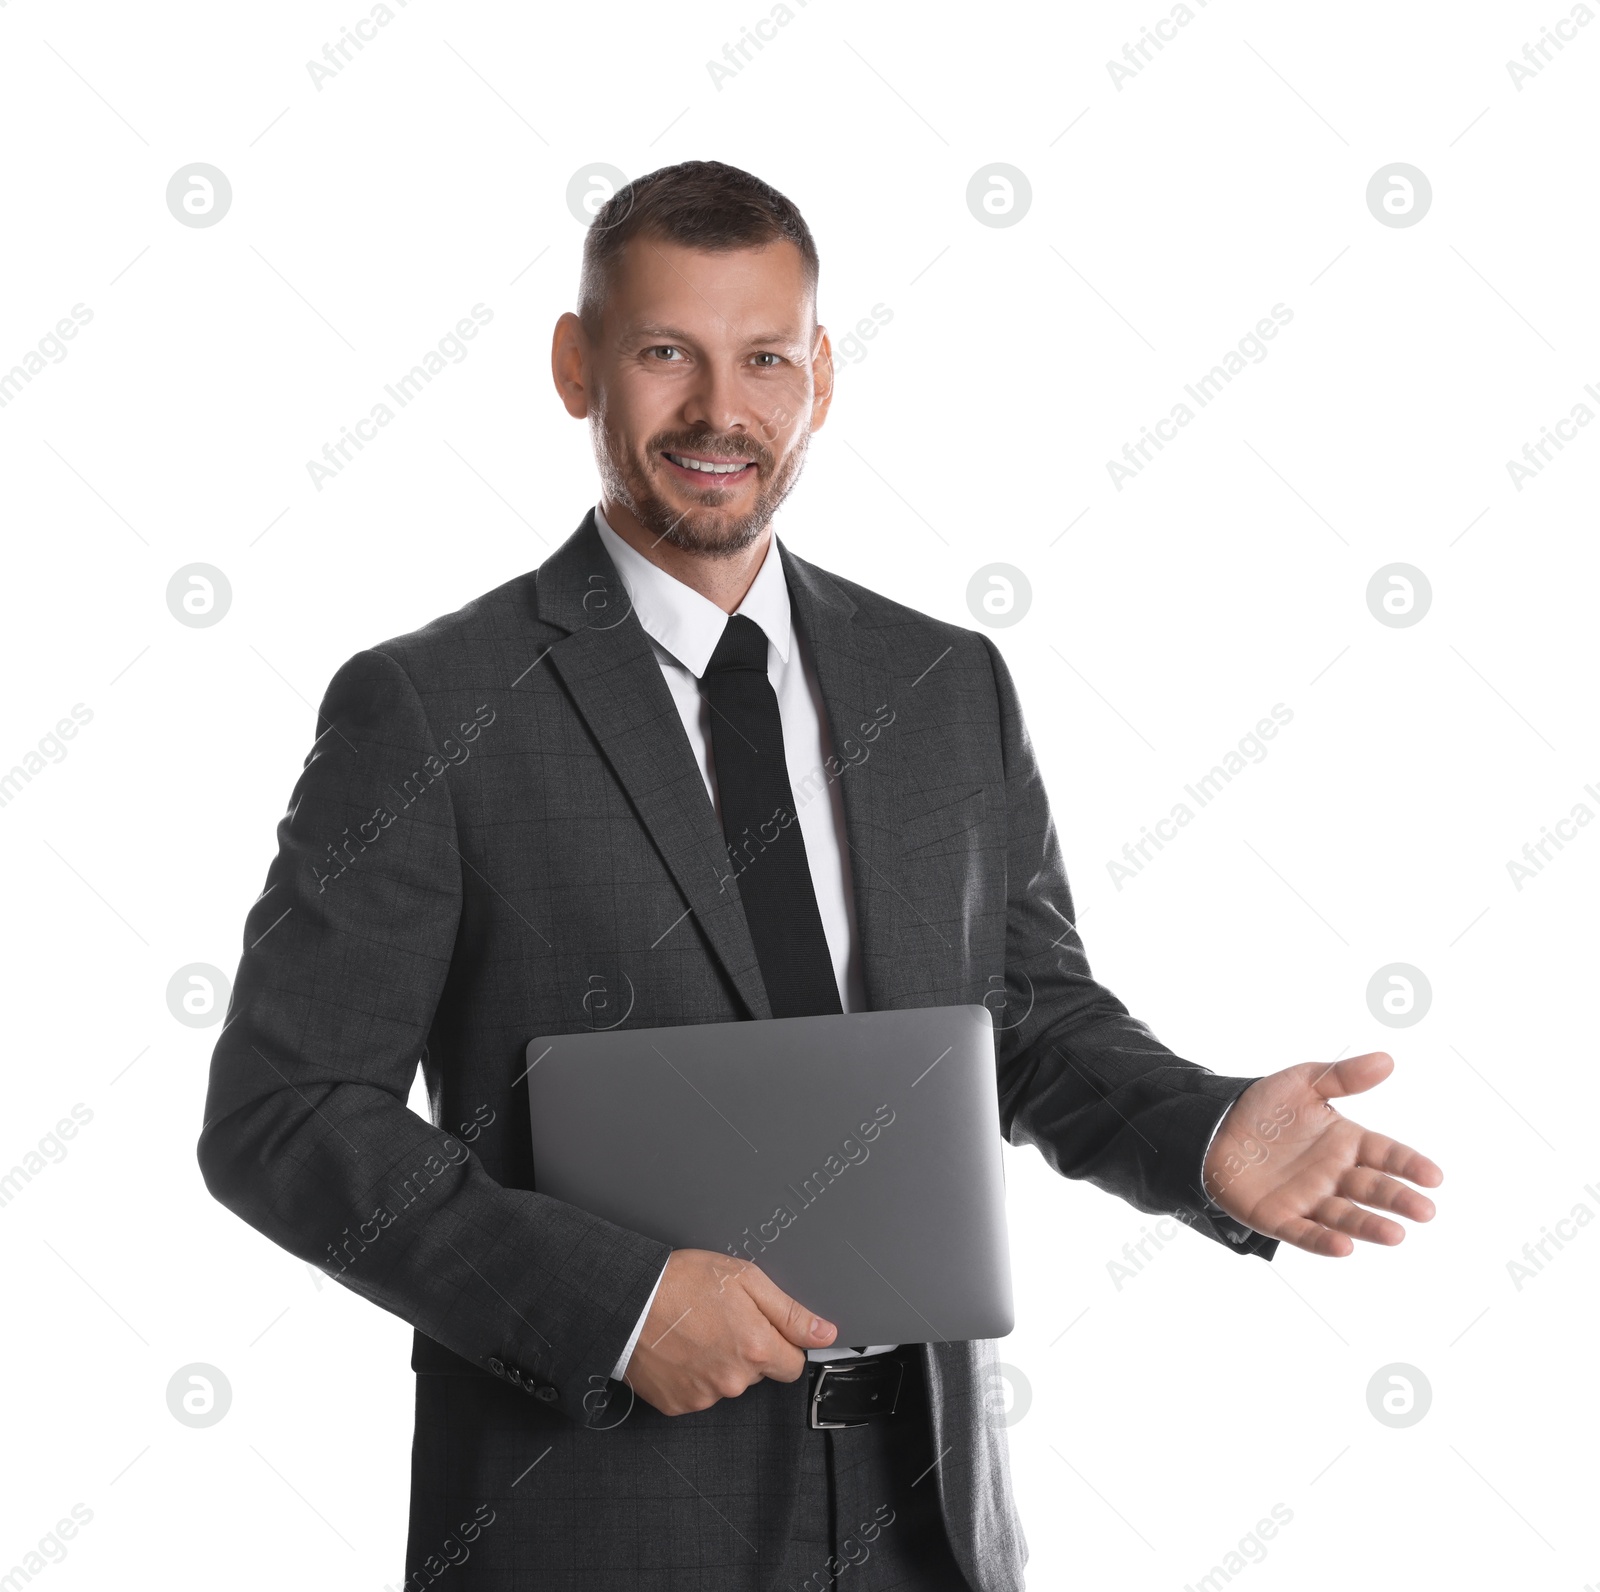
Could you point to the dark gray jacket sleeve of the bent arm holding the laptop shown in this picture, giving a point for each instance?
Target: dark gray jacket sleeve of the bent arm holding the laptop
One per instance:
(308, 1135)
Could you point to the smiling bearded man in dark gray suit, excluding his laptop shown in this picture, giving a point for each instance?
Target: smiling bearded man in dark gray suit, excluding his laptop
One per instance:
(681, 775)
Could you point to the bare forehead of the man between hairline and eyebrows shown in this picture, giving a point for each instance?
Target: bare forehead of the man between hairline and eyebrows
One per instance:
(713, 294)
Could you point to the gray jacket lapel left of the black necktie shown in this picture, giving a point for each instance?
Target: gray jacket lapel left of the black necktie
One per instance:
(610, 670)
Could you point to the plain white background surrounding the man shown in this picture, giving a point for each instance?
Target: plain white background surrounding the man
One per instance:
(1164, 1418)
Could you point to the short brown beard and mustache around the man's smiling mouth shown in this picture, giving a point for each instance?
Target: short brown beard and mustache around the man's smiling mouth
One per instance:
(706, 526)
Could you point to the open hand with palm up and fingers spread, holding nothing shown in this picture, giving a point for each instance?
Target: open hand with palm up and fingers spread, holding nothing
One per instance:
(1287, 1164)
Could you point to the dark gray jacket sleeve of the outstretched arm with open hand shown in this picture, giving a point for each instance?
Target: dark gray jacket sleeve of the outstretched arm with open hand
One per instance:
(1081, 1079)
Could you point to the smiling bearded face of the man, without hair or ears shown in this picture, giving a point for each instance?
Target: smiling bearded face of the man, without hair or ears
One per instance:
(703, 390)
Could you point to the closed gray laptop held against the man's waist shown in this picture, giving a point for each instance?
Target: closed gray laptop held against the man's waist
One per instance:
(854, 1158)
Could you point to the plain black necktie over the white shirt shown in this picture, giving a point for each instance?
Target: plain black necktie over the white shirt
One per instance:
(762, 830)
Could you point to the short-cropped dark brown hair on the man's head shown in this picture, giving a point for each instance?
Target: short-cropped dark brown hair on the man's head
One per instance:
(700, 204)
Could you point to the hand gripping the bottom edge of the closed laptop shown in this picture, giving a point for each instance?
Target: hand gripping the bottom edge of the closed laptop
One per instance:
(718, 1326)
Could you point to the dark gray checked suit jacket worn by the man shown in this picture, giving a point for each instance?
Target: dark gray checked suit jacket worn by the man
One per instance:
(500, 833)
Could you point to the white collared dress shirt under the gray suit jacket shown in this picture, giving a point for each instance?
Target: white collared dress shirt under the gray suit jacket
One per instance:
(684, 631)
